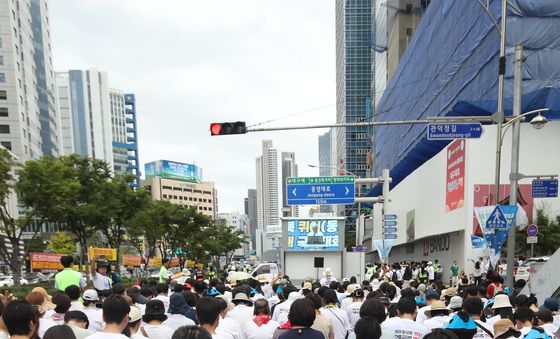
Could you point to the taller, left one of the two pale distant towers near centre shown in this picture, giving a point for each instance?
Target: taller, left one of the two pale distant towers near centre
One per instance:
(267, 186)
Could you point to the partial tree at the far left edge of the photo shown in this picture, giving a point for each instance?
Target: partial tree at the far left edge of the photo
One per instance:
(11, 227)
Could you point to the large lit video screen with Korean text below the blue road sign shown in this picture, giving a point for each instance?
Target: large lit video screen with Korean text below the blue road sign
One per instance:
(313, 234)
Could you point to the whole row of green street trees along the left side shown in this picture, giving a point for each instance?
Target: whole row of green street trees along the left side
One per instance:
(84, 198)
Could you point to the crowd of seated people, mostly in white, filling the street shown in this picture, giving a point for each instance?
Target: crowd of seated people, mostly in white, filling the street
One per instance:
(392, 303)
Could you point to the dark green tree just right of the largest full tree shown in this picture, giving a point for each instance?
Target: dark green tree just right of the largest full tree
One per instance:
(120, 204)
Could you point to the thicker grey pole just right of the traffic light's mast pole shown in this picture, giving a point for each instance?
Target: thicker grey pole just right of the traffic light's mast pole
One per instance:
(514, 176)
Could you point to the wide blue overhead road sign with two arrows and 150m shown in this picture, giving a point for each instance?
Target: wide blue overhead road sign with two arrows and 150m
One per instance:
(320, 190)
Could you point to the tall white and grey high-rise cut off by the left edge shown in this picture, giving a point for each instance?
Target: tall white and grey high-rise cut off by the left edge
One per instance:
(28, 116)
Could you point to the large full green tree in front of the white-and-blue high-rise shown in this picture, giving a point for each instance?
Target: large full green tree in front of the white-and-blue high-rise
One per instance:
(68, 190)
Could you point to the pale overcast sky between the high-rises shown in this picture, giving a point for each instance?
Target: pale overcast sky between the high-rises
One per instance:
(195, 62)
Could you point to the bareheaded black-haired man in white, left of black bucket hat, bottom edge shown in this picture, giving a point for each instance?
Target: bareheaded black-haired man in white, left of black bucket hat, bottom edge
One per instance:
(115, 316)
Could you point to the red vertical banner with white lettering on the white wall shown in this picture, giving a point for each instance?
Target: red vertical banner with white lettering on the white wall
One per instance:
(455, 183)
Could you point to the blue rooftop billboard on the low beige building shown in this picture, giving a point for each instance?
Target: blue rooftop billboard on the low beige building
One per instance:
(173, 170)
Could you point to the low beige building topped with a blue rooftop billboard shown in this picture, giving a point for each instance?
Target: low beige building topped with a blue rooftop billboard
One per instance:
(180, 184)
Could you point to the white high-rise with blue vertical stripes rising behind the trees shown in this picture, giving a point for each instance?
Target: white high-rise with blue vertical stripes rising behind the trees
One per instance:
(98, 121)
